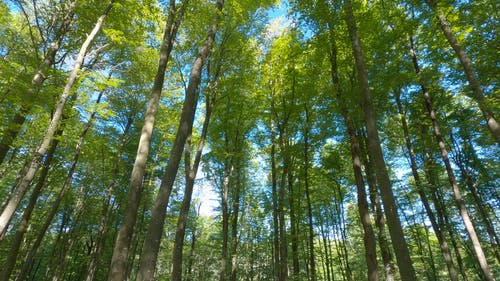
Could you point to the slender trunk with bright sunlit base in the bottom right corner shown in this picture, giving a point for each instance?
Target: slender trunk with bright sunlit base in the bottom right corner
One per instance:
(478, 250)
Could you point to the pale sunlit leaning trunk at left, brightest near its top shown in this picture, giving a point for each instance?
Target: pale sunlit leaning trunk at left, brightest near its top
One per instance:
(28, 176)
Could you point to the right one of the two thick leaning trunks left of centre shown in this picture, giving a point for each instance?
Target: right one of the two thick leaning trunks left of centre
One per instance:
(155, 230)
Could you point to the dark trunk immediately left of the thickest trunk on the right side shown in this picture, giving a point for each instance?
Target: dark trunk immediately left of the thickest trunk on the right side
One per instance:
(363, 209)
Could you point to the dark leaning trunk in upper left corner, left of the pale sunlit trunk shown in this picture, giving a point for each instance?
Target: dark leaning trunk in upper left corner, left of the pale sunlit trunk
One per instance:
(15, 125)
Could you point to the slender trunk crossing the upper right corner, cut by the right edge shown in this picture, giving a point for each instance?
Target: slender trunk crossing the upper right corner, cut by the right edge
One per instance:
(477, 92)
